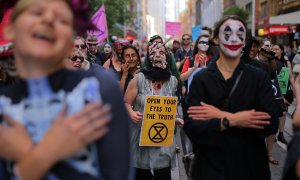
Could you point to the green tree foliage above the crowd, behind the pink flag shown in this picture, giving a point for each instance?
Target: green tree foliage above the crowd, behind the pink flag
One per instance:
(117, 14)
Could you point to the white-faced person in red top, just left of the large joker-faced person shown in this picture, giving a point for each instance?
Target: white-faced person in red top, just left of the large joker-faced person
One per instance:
(200, 58)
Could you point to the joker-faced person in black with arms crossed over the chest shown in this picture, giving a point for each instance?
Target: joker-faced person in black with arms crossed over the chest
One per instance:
(231, 111)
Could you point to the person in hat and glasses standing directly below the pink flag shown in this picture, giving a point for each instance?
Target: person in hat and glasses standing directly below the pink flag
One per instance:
(92, 44)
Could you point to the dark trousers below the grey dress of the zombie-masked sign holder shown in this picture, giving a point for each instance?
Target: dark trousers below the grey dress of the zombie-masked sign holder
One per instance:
(159, 174)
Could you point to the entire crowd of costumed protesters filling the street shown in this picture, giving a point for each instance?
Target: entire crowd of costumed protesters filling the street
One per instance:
(72, 108)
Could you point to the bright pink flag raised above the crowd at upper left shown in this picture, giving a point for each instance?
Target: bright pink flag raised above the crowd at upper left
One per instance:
(99, 20)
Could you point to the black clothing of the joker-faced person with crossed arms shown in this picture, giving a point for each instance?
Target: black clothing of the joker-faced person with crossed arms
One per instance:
(235, 153)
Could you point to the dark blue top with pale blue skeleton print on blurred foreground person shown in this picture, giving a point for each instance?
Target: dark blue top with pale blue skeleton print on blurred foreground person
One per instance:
(74, 88)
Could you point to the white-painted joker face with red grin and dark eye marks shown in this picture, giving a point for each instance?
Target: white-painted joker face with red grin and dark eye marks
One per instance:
(232, 37)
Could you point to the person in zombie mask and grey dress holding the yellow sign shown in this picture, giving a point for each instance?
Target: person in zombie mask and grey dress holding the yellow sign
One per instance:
(154, 80)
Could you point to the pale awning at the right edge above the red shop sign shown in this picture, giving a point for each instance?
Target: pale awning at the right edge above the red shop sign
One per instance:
(290, 18)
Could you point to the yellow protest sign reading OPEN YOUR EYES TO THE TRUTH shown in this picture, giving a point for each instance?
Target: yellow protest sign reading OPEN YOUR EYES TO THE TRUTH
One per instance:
(158, 121)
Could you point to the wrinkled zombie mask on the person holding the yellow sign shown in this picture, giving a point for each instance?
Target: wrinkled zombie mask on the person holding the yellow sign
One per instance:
(158, 55)
